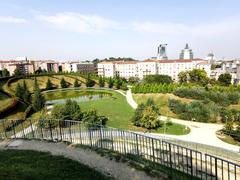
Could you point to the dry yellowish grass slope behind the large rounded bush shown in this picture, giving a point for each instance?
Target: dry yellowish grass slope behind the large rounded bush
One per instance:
(161, 100)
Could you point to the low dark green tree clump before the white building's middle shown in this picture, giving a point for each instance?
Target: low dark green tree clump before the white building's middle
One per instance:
(158, 78)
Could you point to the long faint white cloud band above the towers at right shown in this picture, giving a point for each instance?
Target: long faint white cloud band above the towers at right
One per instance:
(209, 29)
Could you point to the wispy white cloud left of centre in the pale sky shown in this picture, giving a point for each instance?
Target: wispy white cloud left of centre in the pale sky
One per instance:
(79, 22)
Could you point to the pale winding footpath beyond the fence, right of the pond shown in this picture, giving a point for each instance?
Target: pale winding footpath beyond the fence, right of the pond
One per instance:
(203, 133)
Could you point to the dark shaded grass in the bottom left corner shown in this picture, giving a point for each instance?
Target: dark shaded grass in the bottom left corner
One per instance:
(25, 164)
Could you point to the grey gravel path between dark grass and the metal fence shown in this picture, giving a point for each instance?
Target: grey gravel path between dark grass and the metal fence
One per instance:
(118, 170)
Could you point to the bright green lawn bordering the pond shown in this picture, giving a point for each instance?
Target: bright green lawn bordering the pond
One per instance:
(114, 107)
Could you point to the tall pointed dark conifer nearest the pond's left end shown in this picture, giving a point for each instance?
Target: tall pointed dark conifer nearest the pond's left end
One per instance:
(38, 100)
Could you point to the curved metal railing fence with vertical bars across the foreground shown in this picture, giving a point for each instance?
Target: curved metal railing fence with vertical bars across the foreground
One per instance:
(159, 151)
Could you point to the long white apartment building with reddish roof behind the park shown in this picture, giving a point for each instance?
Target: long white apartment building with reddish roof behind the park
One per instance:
(127, 69)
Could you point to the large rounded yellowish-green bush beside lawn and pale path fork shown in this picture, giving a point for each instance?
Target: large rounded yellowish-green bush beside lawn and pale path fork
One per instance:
(146, 115)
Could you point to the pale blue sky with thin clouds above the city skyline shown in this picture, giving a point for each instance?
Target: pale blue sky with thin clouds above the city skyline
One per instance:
(89, 29)
